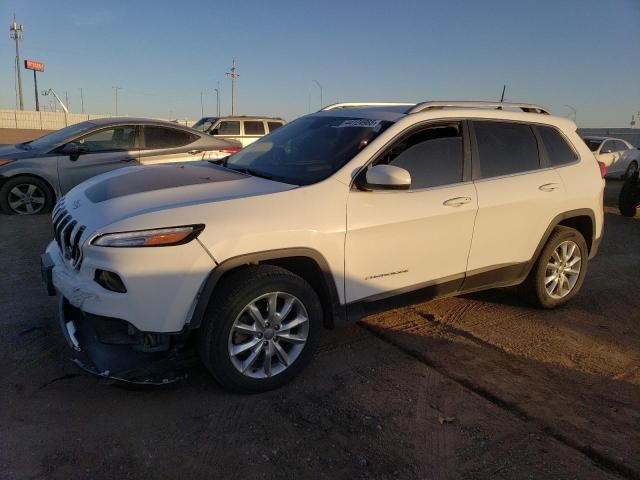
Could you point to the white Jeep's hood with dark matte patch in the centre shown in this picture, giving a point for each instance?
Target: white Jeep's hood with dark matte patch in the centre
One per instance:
(134, 191)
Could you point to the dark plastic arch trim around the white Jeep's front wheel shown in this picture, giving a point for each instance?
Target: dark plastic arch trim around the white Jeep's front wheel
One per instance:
(304, 262)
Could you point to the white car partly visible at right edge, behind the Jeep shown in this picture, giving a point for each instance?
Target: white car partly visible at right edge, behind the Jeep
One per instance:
(619, 156)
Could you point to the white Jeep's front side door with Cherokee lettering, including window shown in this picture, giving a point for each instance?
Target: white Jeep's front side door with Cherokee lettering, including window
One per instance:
(401, 241)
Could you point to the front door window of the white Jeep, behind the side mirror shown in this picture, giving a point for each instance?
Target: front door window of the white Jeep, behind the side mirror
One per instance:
(433, 156)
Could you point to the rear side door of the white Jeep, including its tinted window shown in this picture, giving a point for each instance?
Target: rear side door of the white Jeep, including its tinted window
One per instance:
(518, 197)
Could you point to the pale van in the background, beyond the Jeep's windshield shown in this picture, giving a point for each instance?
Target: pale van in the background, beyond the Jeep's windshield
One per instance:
(244, 129)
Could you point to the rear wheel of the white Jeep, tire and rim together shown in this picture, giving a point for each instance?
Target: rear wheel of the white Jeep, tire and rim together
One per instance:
(559, 271)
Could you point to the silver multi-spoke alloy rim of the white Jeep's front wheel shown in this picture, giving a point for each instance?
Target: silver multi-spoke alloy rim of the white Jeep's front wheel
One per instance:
(268, 335)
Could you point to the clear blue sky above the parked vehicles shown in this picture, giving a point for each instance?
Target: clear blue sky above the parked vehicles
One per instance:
(584, 53)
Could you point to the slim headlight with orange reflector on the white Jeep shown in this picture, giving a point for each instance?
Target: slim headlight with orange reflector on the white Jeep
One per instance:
(159, 237)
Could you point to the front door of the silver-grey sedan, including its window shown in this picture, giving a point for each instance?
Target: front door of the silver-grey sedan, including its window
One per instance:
(101, 151)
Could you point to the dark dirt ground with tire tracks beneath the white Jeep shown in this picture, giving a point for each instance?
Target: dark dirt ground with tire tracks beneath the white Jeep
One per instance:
(480, 387)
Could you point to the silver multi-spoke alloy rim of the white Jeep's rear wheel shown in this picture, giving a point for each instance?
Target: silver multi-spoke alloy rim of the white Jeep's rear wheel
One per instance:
(563, 269)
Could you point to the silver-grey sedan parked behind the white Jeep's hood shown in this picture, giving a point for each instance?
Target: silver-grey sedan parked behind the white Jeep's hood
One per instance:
(33, 174)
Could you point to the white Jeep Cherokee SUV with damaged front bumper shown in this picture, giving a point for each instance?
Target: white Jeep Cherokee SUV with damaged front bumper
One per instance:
(344, 212)
